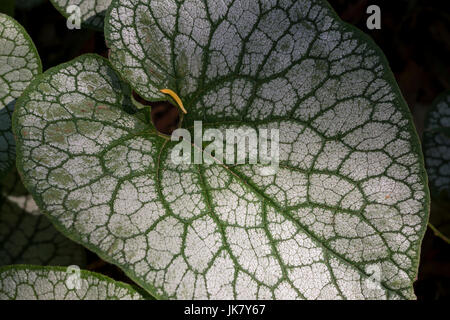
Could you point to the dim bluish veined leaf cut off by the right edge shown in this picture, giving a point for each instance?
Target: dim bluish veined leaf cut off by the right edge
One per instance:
(436, 144)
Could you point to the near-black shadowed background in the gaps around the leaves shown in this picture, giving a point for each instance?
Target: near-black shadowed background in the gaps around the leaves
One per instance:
(415, 37)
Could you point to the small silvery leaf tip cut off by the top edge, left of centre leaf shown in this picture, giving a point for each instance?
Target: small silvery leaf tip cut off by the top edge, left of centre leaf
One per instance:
(92, 11)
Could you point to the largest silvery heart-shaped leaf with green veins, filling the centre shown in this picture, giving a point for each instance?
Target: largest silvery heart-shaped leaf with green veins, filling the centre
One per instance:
(344, 215)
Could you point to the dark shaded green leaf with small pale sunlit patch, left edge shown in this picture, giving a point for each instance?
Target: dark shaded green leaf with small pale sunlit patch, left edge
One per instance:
(27, 236)
